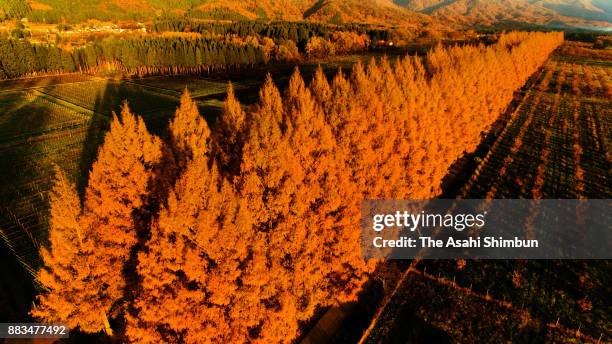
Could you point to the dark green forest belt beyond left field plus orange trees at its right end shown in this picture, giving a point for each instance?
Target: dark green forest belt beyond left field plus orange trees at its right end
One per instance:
(165, 54)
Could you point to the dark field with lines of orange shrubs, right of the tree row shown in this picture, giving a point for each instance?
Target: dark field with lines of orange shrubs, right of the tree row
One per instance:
(556, 144)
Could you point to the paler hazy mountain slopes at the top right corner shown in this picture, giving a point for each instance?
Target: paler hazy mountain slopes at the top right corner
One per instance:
(541, 12)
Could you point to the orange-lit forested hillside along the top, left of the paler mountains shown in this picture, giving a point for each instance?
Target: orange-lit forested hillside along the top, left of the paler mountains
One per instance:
(332, 11)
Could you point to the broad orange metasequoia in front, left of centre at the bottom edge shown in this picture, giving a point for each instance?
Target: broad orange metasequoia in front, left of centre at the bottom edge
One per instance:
(191, 268)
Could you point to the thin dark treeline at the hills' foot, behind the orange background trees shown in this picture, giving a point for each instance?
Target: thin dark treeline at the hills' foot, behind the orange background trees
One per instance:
(279, 31)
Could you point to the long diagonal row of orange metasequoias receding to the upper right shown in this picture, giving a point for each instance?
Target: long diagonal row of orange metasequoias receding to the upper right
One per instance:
(244, 230)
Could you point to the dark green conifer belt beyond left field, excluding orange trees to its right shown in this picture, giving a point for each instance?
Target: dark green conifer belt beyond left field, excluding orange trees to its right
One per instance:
(139, 56)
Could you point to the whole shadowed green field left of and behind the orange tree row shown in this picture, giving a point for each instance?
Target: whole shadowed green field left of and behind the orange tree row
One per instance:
(62, 120)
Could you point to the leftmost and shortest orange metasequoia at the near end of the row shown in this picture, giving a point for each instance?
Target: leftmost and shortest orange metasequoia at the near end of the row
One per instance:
(69, 297)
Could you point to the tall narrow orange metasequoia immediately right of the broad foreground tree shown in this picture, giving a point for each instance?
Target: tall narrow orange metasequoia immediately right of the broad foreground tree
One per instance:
(268, 182)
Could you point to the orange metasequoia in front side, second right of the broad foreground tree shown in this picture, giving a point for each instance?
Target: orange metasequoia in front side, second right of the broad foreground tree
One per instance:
(323, 217)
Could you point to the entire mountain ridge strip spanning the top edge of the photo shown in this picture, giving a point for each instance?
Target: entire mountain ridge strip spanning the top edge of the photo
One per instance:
(410, 13)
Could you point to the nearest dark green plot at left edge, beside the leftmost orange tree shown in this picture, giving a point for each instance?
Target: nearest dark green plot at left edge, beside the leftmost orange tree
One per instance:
(26, 180)
